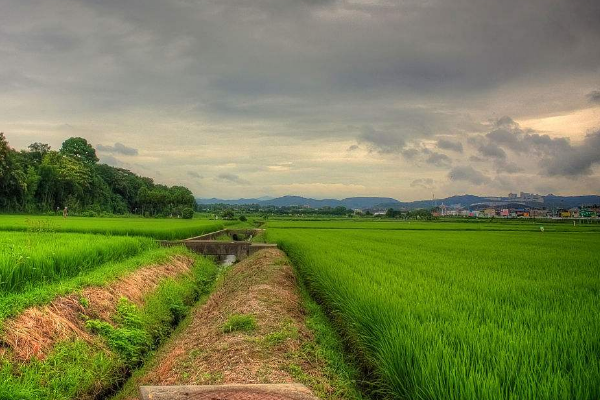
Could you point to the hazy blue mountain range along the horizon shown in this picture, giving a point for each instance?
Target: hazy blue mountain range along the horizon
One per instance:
(382, 203)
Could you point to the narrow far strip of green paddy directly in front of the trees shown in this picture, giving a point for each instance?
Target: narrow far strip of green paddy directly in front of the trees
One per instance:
(165, 229)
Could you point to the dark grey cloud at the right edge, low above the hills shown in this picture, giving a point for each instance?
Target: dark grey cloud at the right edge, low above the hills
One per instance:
(575, 161)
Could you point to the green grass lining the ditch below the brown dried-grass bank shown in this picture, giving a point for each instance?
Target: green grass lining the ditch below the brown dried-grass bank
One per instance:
(76, 369)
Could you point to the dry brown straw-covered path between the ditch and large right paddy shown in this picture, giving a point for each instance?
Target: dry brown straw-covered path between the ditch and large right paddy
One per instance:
(276, 350)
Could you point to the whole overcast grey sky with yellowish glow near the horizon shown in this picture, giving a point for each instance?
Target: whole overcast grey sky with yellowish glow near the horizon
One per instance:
(320, 98)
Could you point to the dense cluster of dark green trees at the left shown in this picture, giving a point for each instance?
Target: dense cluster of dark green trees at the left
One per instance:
(44, 180)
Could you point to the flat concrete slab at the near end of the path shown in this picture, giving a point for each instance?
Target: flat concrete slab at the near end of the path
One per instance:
(228, 392)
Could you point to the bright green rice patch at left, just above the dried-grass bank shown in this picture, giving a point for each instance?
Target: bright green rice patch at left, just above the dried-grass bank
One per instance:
(31, 259)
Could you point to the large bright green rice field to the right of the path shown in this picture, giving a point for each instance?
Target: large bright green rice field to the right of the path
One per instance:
(458, 310)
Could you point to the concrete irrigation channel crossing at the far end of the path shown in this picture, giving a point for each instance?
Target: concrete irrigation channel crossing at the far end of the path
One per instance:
(239, 246)
